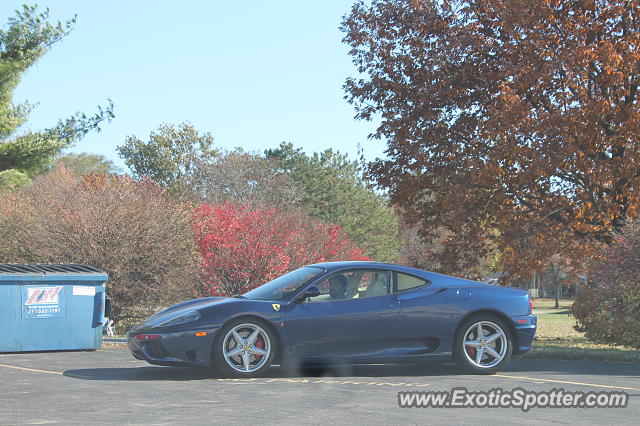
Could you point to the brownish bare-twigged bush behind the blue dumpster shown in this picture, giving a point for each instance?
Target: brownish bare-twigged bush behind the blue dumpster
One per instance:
(128, 228)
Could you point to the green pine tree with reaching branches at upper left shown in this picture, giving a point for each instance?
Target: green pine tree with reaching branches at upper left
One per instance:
(27, 36)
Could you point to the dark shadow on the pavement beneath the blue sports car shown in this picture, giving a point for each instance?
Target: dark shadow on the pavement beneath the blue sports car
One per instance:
(153, 373)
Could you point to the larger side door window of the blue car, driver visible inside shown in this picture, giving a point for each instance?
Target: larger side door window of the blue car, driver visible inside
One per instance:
(355, 284)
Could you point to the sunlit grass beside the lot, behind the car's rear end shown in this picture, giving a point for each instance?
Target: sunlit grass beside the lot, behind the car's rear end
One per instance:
(557, 339)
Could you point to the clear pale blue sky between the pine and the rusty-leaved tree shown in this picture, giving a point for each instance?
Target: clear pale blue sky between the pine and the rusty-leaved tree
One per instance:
(252, 73)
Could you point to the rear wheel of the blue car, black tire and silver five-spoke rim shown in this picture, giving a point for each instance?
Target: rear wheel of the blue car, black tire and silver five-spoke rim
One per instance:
(466, 356)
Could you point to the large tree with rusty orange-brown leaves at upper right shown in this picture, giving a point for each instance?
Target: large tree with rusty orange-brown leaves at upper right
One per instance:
(508, 123)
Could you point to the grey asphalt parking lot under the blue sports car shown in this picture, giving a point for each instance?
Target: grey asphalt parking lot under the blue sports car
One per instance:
(108, 386)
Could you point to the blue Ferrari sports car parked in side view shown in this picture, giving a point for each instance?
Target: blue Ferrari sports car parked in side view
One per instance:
(357, 312)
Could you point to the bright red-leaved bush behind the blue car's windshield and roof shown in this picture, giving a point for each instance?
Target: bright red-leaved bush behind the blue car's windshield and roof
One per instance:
(244, 246)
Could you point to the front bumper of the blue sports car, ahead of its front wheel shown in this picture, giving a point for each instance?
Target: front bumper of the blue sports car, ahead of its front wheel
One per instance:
(182, 349)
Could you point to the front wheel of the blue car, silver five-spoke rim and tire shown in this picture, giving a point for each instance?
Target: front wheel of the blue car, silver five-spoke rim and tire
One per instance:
(244, 348)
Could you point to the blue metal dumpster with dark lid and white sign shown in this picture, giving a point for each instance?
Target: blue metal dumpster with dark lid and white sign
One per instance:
(47, 307)
